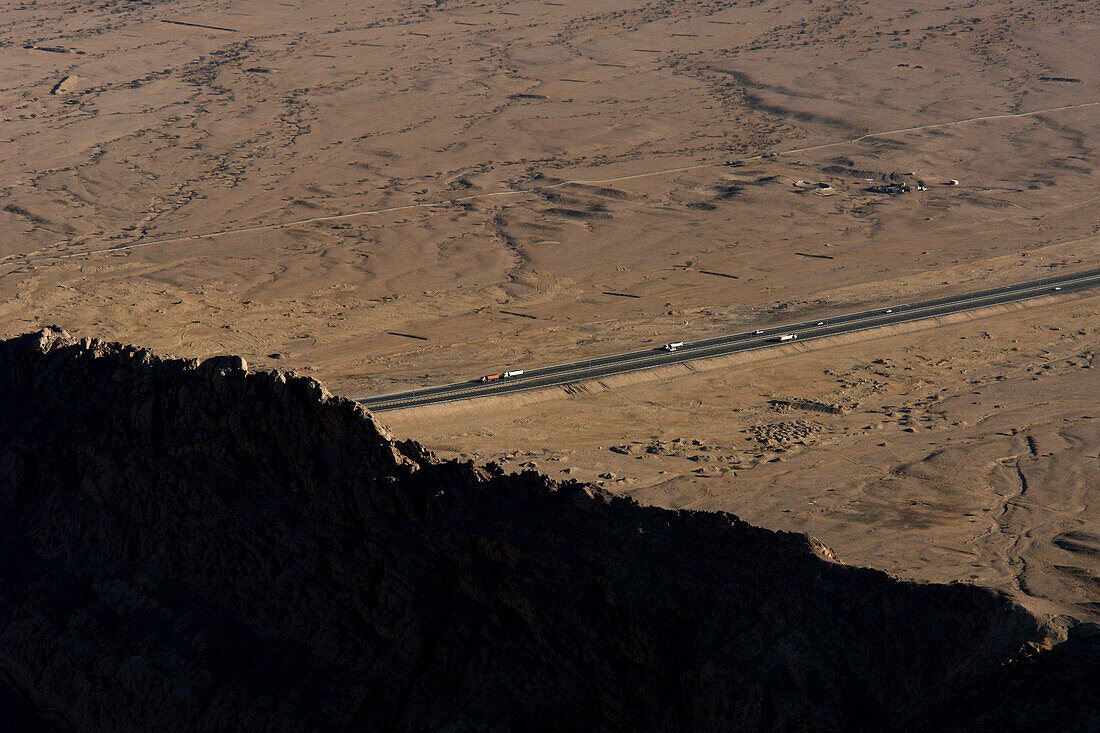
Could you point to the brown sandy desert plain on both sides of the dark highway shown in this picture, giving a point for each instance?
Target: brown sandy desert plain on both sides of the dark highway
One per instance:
(498, 161)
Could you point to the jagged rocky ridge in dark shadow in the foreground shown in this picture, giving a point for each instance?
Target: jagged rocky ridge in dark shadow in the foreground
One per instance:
(190, 545)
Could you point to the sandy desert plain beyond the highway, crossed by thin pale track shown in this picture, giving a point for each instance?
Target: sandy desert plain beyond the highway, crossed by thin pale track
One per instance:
(120, 126)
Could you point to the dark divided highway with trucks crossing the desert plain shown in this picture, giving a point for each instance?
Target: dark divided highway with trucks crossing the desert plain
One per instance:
(600, 367)
